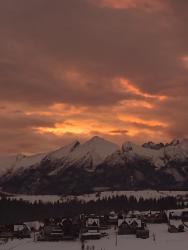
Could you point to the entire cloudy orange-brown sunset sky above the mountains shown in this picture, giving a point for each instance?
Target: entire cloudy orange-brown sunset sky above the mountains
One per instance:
(73, 69)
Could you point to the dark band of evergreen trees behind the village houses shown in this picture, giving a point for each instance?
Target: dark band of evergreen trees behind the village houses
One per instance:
(15, 211)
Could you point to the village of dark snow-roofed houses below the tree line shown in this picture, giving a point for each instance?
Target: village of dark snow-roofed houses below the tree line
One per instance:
(86, 230)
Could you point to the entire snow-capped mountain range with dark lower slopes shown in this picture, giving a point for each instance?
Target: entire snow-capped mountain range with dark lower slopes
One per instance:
(97, 165)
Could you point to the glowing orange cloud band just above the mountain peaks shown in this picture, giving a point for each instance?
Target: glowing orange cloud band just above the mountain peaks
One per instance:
(129, 118)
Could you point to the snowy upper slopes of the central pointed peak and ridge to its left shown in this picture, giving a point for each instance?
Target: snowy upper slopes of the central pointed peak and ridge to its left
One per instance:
(88, 155)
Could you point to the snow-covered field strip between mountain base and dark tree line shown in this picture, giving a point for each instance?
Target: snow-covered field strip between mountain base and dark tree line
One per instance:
(146, 194)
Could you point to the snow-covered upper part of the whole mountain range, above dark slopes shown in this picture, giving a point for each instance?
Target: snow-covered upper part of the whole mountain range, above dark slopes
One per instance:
(94, 151)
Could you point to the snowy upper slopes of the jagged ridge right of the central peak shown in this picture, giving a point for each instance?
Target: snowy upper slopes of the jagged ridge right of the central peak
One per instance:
(159, 155)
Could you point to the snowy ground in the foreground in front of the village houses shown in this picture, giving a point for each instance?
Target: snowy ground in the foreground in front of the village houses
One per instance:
(164, 241)
